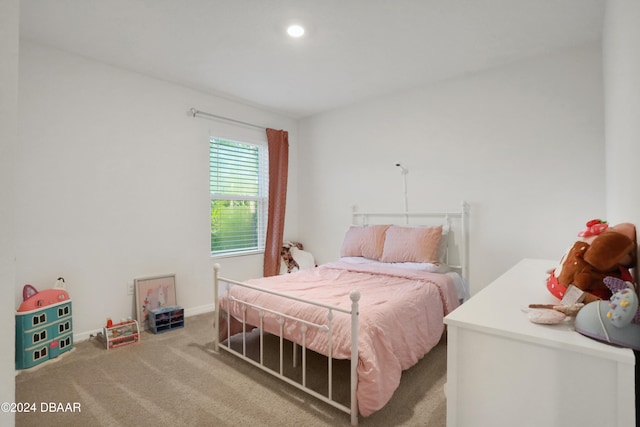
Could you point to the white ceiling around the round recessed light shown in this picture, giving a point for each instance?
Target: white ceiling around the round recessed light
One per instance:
(353, 50)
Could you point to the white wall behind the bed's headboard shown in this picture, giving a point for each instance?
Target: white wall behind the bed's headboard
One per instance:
(523, 144)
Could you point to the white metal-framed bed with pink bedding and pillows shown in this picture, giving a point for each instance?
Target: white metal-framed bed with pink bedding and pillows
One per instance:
(384, 299)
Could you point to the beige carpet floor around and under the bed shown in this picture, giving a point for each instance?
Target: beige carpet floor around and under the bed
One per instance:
(175, 379)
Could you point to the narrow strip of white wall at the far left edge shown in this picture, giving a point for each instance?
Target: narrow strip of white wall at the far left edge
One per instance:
(9, 12)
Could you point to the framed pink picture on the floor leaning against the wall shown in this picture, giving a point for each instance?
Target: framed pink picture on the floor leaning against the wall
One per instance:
(154, 292)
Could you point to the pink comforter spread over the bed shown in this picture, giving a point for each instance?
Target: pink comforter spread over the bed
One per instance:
(401, 318)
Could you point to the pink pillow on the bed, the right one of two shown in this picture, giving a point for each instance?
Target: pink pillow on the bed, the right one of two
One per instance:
(412, 244)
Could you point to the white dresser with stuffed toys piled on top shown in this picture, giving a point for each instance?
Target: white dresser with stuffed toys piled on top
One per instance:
(503, 370)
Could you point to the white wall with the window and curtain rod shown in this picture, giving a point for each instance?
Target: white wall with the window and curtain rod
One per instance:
(112, 184)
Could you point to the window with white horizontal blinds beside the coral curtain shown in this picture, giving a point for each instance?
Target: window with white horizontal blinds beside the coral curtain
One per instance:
(238, 186)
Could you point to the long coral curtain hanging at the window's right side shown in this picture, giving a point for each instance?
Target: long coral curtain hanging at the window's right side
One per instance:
(278, 173)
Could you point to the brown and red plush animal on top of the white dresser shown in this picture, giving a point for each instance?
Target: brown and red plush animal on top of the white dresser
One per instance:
(609, 251)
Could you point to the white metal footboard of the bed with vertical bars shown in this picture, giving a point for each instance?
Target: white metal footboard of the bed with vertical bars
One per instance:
(221, 288)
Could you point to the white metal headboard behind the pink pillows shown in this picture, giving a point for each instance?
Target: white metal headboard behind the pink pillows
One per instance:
(457, 222)
